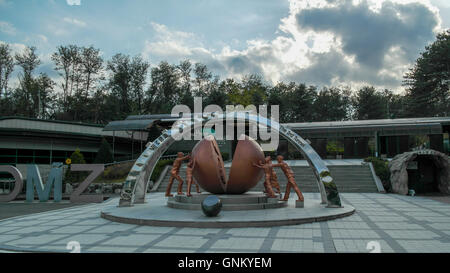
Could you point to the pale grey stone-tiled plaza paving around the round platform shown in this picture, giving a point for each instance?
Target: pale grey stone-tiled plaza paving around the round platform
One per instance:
(395, 223)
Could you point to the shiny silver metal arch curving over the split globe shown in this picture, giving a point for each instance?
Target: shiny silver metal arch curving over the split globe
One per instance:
(136, 184)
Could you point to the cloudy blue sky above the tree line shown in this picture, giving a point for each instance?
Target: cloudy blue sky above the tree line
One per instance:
(323, 42)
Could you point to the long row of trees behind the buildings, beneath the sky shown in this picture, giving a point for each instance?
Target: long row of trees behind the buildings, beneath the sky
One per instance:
(94, 90)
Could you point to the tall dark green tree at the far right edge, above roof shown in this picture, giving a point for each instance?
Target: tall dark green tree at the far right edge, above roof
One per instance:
(429, 80)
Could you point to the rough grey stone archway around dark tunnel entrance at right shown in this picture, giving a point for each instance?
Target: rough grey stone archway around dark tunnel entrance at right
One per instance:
(399, 173)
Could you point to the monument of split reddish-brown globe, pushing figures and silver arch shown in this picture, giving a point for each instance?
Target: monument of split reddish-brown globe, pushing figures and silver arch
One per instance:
(207, 167)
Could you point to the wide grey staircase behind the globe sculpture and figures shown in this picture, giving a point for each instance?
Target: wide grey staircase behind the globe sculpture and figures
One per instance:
(349, 178)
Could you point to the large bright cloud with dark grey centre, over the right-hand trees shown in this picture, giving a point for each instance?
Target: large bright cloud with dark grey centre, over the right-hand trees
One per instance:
(329, 55)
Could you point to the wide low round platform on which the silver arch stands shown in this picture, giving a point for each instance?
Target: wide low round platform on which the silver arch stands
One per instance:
(156, 213)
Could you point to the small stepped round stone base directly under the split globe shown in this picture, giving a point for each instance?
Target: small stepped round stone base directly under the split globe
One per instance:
(246, 201)
